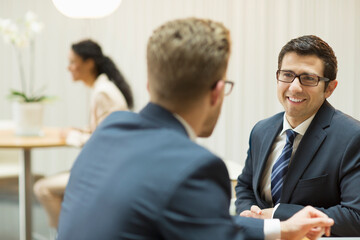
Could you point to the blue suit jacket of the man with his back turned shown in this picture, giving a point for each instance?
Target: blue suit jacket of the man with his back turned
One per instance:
(140, 177)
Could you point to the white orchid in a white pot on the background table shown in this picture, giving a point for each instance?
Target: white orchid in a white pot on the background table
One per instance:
(28, 103)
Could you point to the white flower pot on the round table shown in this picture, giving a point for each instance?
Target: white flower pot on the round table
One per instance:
(28, 118)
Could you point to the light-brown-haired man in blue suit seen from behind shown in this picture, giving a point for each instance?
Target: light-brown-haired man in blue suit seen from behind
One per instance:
(140, 176)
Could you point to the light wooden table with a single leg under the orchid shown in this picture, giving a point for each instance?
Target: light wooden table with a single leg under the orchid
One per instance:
(51, 138)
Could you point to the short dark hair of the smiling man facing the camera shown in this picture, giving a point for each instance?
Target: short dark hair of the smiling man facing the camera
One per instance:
(312, 45)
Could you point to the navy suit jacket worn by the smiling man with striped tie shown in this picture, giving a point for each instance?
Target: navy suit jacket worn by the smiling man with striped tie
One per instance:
(324, 172)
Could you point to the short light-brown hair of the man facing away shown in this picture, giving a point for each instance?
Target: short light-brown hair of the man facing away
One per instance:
(186, 57)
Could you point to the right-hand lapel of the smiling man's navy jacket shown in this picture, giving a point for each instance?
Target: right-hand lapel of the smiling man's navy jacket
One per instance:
(309, 145)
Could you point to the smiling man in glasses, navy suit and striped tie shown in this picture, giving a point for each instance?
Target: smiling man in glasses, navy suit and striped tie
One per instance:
(323, 164)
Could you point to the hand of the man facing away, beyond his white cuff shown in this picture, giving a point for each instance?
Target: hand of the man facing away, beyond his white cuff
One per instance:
(308, 222)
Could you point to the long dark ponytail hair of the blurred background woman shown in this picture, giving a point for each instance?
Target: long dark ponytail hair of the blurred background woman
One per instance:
(88, 49)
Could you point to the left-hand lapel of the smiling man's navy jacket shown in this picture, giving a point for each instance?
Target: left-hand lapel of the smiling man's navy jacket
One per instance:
(267, 142)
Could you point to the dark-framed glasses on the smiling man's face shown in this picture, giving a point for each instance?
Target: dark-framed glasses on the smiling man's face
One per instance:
(311, 80)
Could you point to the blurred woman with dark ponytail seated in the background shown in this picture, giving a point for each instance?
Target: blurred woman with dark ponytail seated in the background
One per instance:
(110, 92)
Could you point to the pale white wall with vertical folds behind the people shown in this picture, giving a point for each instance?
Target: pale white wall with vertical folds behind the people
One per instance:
(259, 29)
